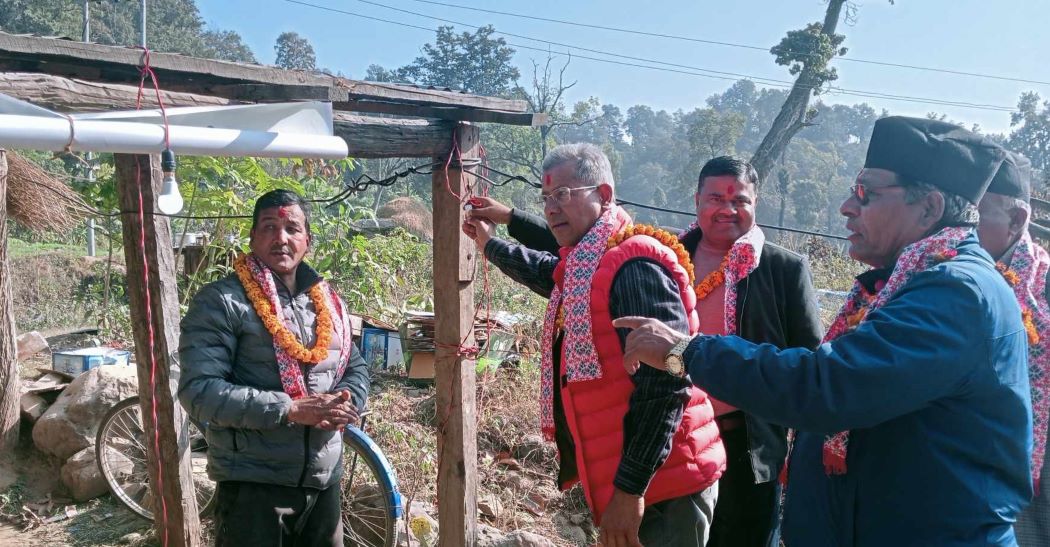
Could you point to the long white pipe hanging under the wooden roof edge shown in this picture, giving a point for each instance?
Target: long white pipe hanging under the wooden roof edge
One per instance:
(54, 134)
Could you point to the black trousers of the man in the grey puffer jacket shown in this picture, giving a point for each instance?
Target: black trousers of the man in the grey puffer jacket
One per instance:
(268, 516)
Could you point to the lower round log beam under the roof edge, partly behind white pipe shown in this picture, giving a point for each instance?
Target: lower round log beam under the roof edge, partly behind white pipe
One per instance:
(366, 136)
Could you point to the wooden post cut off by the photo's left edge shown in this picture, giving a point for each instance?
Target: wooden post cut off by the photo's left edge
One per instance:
(10, 391)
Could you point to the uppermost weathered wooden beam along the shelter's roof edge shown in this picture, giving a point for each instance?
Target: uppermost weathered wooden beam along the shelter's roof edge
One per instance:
(230, 80)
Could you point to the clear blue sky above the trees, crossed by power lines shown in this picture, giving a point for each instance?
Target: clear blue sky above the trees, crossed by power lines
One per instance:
(1010, 38)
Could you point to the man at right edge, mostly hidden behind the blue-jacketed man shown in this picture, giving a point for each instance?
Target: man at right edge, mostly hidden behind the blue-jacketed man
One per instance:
(1005, 214)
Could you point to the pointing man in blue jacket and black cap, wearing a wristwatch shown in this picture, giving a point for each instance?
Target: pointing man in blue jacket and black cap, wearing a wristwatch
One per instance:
(916, 409)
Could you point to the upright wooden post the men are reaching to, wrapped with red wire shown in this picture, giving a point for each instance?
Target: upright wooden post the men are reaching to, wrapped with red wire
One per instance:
(454, 257)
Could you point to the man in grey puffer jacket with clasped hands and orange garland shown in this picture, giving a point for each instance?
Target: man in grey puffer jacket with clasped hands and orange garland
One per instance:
(269, 368)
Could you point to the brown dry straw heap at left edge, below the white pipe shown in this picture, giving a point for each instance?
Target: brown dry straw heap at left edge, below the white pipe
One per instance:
(38, 201)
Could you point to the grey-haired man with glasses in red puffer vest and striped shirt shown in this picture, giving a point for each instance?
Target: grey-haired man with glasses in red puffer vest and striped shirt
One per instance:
(645, 449)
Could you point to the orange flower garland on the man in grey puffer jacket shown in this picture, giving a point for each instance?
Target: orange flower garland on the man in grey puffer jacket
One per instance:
(281, 334)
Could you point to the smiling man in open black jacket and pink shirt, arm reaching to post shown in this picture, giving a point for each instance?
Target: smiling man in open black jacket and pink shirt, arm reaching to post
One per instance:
(749, 287)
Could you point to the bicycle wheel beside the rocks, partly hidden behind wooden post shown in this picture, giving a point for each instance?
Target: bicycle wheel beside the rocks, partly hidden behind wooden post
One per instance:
(120, 450)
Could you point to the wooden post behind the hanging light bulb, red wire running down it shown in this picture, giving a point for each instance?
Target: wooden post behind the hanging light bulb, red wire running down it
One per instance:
(170, 468)
